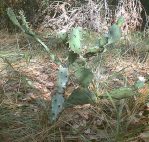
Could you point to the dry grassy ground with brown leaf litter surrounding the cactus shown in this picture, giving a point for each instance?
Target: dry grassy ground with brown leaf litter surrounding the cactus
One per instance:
(27, 82)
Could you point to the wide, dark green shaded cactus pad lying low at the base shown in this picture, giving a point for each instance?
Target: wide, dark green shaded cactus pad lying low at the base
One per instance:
(80, 96)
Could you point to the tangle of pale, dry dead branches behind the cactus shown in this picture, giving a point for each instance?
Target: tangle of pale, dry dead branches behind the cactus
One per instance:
(95, 15)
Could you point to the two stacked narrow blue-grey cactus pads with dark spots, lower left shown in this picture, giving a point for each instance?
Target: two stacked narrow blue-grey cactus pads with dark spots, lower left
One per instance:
(58, 98)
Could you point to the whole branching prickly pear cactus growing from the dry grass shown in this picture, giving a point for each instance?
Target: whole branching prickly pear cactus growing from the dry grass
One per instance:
(81, 43)
